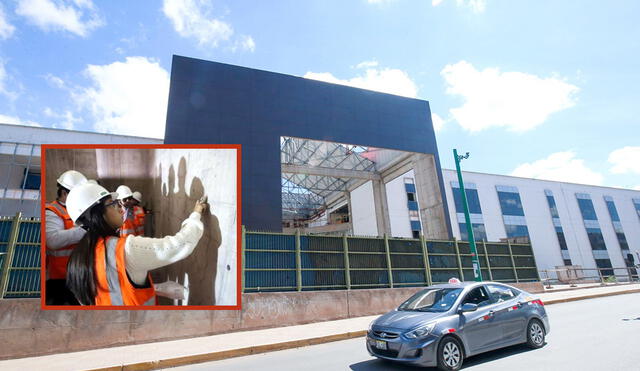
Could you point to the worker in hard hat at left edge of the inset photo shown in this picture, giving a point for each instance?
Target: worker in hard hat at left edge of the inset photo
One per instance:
(61, 238)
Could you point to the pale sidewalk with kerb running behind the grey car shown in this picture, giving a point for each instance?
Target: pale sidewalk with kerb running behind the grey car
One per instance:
(209, 348)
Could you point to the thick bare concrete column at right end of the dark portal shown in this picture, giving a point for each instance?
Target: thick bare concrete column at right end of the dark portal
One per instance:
(429, 197)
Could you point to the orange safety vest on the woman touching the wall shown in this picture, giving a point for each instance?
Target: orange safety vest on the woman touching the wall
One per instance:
(113, 286)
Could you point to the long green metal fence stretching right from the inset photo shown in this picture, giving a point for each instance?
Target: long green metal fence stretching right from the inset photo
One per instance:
(295, 262)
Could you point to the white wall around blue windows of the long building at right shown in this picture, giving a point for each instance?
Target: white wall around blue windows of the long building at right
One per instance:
(539, 221)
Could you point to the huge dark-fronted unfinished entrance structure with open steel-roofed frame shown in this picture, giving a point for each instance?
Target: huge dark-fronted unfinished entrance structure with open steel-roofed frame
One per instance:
(276, 117)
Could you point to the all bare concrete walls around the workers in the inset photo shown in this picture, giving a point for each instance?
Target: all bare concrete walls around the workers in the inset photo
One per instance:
(171, 180)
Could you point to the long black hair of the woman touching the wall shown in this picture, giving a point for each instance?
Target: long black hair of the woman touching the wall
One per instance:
(81, 278)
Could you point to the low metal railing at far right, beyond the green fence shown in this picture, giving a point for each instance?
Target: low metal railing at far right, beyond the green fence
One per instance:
(575, 275)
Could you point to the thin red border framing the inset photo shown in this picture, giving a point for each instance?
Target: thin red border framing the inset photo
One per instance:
(237, 147)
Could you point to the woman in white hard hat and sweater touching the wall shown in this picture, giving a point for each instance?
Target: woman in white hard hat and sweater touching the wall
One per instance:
(108, 269)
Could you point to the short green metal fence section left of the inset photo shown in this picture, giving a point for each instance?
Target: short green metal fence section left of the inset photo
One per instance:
(19, 257)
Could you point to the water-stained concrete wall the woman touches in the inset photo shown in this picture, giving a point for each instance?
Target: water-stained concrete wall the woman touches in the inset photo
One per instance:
(181, 177)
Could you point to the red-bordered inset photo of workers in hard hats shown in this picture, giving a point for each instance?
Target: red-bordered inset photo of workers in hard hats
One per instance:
(141, 227)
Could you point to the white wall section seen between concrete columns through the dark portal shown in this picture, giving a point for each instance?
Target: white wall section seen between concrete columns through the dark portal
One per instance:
(398, 208)
